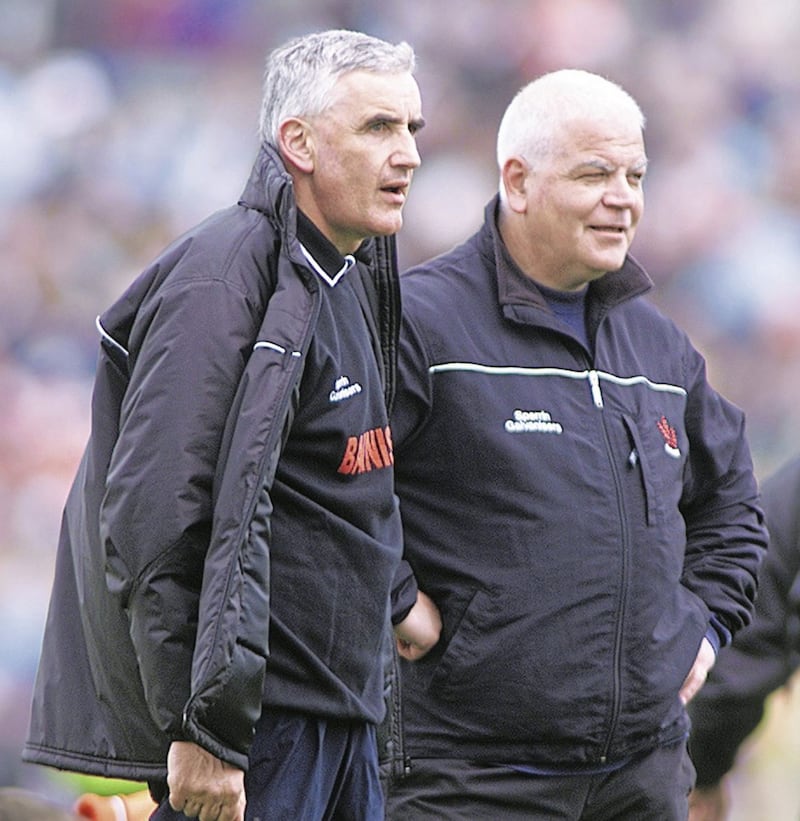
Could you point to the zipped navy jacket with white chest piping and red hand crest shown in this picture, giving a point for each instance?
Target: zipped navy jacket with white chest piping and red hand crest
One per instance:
(578, 516)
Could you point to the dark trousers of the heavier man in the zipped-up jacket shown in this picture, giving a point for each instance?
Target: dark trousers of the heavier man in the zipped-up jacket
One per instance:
(653, 787)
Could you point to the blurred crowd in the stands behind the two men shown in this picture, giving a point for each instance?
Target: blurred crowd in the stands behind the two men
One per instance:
(123, 122)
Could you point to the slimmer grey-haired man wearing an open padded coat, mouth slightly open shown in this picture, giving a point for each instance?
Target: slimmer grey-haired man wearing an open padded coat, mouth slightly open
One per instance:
(219, 620)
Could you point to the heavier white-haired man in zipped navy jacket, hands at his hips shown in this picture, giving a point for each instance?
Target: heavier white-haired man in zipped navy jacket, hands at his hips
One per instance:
(579, 507)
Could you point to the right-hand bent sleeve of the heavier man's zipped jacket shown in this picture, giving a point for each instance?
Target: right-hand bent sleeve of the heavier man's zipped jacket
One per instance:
(725, 534)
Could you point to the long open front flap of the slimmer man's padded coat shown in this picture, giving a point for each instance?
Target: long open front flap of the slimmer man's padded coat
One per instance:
(231, 649)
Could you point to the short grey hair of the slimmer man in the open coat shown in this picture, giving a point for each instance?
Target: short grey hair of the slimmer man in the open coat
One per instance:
(300, 74)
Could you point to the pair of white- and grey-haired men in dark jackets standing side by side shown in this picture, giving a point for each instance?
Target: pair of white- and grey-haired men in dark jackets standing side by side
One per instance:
(581, 527)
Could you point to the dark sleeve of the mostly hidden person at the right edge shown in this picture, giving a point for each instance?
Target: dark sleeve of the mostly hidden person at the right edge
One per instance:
(765, 654)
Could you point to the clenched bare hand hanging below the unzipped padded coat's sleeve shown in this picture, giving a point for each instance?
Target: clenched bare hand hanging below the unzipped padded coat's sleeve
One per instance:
(201, 786)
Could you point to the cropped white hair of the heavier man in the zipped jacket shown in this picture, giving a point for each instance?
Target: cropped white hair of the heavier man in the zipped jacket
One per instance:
(530, 124)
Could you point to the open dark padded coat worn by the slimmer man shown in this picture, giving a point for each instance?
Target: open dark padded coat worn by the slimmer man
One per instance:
(127, 664)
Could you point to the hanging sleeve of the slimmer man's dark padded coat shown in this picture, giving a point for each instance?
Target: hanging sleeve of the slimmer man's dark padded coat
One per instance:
(188, 350)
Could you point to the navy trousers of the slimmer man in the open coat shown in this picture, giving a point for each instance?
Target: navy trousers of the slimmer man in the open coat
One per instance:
(308, 769)
